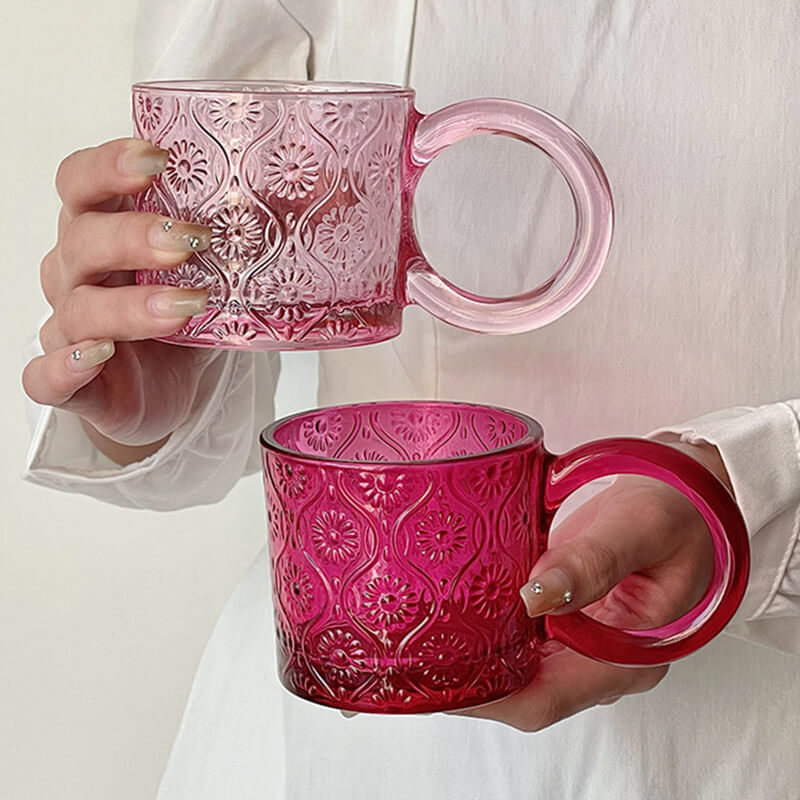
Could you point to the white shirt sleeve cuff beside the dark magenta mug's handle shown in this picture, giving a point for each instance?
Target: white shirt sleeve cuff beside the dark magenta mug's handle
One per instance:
(760, 448)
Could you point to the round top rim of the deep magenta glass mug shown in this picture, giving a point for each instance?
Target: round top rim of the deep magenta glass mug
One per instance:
(534, 435)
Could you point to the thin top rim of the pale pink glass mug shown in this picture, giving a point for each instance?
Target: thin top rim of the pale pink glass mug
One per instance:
(273, 88)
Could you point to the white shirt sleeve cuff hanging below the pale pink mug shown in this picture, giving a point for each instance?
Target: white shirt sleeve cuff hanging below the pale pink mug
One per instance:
(198, 464)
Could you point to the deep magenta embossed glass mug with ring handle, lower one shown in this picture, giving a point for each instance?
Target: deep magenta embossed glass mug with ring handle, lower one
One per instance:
(400, 533)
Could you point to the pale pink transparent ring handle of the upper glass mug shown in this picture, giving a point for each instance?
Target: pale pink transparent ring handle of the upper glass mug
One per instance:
(594, 214)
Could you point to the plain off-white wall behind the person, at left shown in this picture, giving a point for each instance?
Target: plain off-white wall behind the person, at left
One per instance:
(103, 611)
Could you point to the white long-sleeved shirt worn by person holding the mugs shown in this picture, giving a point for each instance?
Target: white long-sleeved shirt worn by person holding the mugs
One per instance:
(693, 111)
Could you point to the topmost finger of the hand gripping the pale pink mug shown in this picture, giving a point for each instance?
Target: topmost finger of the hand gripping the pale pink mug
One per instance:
(90, 177)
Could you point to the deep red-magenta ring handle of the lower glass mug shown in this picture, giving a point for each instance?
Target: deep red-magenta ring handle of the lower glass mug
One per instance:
(565, 473)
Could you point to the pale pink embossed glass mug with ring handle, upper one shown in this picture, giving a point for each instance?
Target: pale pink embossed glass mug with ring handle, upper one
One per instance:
(308, 190)
